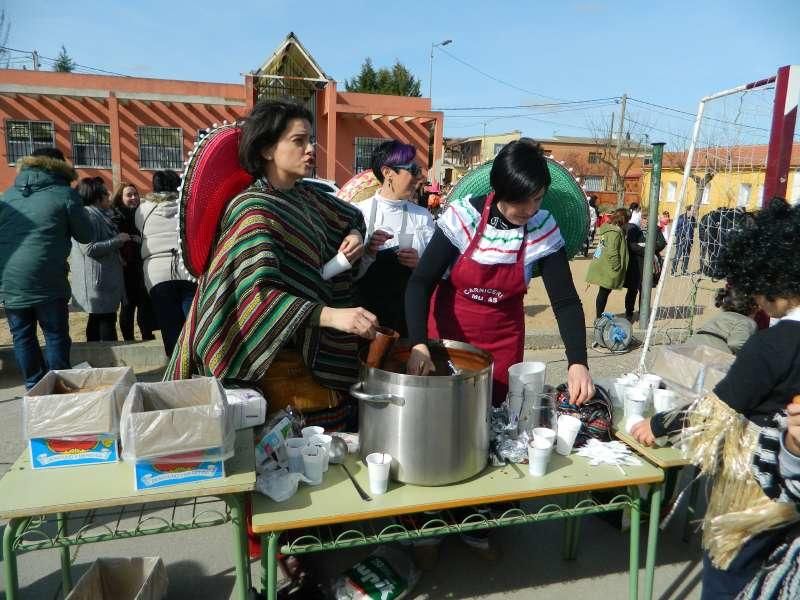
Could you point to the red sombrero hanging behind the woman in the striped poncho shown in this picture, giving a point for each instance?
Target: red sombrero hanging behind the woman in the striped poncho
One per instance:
(211, 179)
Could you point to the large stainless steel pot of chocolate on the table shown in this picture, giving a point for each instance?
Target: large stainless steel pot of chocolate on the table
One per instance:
(437, 427)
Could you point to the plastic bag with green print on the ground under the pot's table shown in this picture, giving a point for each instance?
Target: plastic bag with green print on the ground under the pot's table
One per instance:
(386, 574)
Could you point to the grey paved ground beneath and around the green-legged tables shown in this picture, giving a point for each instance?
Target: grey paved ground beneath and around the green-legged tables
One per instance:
(200, 566)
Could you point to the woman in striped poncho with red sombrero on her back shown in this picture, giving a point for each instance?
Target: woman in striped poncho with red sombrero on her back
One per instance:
(263, 313)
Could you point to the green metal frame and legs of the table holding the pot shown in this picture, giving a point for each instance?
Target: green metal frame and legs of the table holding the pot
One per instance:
(365, 533)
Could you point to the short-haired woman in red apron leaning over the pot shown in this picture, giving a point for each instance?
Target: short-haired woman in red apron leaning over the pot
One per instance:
(491, 245)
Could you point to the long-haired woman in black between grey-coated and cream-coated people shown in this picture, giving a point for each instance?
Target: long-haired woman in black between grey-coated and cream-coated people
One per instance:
(137, 302)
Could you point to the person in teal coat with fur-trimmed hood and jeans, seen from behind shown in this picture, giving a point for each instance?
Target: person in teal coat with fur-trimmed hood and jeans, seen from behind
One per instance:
(39, 214)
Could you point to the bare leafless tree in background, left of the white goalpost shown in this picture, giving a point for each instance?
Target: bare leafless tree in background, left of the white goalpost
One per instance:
(619, 156)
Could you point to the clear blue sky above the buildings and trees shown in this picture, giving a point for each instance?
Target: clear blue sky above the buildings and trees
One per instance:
(668, 53)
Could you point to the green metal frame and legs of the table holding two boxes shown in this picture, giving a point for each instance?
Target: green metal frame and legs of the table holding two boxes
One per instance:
(29, 534)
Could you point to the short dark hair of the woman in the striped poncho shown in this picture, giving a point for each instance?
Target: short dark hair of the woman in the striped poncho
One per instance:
(263, 128)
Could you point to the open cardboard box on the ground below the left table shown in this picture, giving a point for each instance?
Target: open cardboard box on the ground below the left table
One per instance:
(122, 579)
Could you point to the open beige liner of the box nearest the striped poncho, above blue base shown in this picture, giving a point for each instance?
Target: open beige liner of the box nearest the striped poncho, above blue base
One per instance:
(176, 418)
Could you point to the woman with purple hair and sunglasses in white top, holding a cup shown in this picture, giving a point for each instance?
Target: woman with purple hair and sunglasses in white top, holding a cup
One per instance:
(399, 229)
